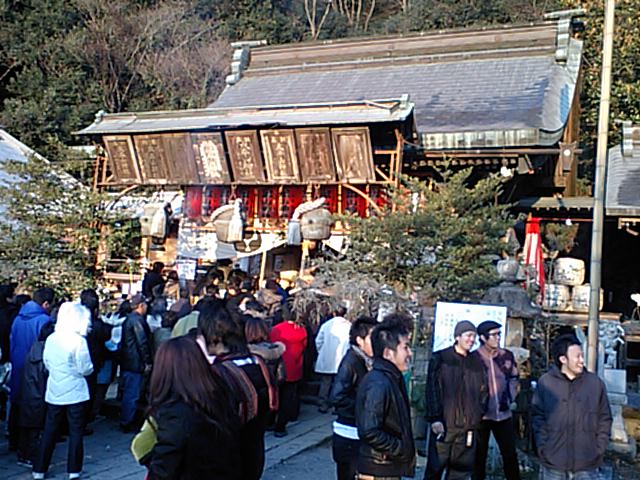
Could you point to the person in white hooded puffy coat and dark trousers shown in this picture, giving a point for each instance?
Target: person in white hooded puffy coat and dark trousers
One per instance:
(66, 356)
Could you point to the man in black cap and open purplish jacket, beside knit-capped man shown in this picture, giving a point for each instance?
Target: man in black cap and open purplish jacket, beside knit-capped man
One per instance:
(502, 375)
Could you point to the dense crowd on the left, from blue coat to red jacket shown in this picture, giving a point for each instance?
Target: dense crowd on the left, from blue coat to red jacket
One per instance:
(227, 368)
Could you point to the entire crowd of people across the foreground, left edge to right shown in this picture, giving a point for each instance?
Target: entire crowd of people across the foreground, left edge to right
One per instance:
(215, 376)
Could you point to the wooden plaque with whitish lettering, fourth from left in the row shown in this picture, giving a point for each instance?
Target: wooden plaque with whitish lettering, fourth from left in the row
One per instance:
(208, 151)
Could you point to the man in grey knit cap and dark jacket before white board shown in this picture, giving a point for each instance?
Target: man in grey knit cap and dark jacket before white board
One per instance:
(456, 398)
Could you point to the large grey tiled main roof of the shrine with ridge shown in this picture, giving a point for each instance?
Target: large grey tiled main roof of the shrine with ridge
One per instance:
(499, 90)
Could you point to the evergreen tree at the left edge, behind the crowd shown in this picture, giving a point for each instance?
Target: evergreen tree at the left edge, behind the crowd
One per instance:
(50, 228)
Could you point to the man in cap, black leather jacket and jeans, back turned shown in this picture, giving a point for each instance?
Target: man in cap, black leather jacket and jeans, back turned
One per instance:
(136, 358)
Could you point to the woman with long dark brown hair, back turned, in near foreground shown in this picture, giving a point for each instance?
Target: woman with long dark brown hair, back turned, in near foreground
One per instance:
(196, 423)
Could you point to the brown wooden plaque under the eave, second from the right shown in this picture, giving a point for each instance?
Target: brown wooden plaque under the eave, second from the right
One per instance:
(315, 155)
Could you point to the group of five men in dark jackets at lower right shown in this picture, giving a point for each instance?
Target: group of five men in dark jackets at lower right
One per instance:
(470, 395)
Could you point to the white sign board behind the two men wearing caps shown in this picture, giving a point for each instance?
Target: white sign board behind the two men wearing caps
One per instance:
(449, 314)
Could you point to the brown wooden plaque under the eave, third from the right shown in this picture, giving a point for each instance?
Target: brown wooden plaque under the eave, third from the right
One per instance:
(279, 147)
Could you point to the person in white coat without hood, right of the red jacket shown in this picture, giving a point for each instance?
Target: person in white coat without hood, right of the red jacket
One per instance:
(332, 343)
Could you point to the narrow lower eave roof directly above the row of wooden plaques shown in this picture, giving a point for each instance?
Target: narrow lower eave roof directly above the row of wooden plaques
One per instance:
(334, 113)
